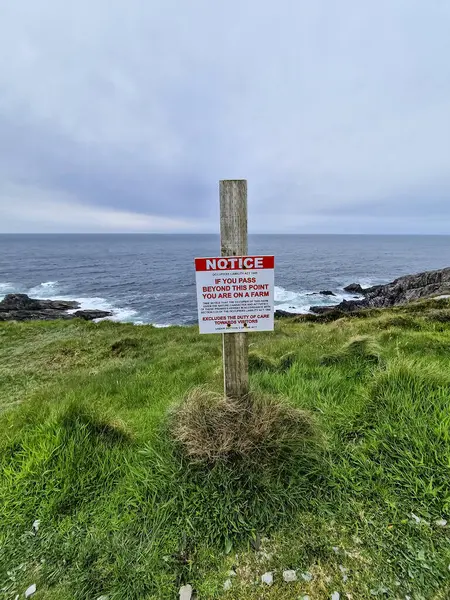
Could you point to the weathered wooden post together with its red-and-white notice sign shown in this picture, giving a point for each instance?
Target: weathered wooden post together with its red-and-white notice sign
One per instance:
(235, 291)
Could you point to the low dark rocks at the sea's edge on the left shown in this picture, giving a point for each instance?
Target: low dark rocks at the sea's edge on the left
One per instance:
(20, 307)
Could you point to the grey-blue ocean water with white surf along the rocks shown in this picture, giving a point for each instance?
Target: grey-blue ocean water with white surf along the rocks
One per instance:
(150, 278)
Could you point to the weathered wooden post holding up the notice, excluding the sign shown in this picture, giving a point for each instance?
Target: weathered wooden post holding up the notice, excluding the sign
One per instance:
(233, 241)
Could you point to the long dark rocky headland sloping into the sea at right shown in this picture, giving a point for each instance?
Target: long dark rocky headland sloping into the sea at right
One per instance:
(401, 291)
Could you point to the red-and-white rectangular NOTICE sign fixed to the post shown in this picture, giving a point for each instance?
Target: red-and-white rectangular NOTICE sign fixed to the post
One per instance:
(235, 294)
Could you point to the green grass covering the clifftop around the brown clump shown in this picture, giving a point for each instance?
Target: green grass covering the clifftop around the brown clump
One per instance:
(86, 450)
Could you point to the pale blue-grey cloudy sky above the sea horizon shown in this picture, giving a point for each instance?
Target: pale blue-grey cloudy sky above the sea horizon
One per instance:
(123, 116)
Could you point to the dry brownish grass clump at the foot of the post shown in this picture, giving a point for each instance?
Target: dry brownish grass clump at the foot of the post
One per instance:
(211, 428)
